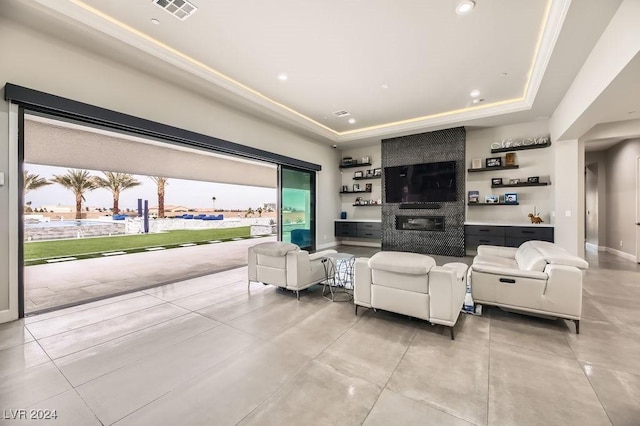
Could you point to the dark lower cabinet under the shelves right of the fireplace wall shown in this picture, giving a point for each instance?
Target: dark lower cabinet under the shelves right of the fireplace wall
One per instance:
(508, 236)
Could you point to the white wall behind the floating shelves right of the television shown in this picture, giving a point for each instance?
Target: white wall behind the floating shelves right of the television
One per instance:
(535, 162)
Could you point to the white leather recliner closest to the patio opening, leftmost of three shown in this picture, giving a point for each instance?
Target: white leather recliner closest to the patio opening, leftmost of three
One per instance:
(285, 265)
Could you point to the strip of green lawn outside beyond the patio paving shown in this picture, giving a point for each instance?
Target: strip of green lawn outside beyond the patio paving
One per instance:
(36, 251)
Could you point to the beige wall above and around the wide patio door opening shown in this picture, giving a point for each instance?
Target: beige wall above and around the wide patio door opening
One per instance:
(40, 62)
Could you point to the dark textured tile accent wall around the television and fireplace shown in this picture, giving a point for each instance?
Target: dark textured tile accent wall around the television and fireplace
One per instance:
(431, 147)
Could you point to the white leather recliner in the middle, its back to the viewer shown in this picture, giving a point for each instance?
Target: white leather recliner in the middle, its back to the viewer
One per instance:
(411, 284)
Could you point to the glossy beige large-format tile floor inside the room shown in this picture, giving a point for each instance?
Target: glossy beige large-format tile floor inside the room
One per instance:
(203, 352)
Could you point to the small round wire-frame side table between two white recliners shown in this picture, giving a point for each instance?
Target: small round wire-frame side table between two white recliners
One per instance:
(338, 268)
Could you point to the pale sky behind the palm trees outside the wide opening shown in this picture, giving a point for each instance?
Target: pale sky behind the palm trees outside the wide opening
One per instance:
(189, 193)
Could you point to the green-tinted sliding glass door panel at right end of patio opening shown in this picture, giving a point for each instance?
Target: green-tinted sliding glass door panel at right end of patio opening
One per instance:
(297, 207)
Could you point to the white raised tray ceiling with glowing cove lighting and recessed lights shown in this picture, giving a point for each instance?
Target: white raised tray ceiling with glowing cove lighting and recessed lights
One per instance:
(520, 54)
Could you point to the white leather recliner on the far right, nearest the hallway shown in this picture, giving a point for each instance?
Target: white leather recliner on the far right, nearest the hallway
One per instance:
(538, 277)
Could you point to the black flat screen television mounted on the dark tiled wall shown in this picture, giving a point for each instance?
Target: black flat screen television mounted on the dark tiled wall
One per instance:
(420, 183)
